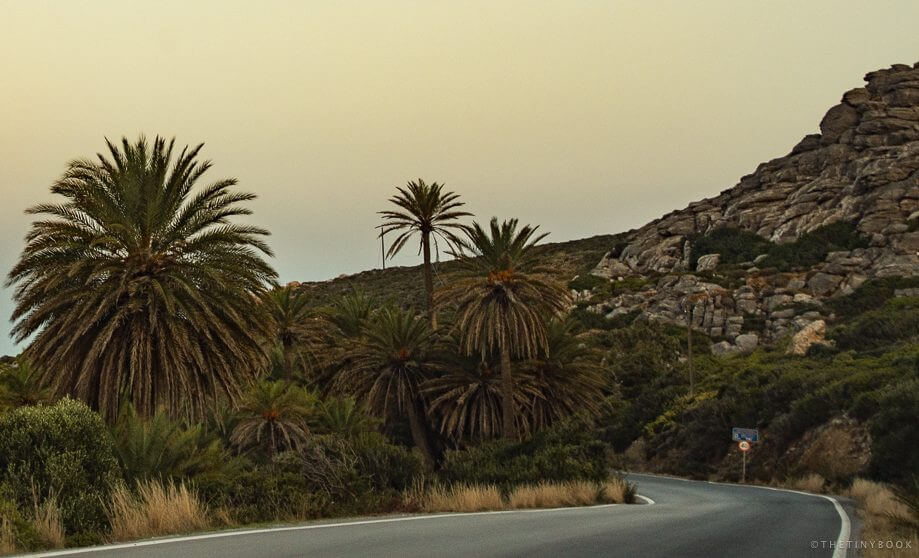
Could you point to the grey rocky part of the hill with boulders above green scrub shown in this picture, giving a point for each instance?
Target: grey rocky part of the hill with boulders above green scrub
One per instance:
(862, 169)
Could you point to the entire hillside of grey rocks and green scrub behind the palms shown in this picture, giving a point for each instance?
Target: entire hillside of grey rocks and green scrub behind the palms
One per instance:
(802, 287)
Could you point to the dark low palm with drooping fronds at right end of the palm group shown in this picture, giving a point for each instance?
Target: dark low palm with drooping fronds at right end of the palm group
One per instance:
(567, 377)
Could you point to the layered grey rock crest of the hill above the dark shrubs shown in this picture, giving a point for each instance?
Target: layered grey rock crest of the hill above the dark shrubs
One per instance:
(863, 167)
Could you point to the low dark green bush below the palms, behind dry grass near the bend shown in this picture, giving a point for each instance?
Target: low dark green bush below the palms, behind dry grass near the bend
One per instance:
(567, 452)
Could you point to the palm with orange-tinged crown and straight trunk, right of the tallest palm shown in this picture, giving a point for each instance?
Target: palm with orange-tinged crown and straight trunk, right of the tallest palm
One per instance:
(503, 299)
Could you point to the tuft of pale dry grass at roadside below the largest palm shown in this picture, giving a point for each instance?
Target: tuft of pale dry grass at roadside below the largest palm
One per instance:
(156, 509)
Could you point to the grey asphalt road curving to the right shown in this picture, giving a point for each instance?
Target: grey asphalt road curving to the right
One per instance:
(687, 519)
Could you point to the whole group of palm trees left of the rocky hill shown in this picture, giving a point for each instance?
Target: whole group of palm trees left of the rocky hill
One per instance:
(141, 288)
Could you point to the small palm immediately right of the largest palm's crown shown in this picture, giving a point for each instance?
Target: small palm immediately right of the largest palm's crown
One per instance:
(296, 325)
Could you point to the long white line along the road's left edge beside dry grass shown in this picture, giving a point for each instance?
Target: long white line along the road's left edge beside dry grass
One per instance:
(221, 534)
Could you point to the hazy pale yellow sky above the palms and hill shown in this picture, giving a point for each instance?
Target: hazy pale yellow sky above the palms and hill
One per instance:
(583, 117)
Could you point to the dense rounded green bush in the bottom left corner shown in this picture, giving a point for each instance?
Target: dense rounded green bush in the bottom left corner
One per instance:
(63, 451)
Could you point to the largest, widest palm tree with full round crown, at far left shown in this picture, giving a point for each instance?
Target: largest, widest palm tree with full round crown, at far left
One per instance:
(139, 286)
